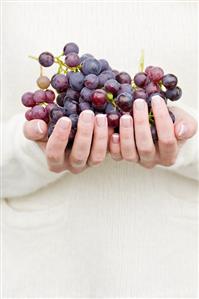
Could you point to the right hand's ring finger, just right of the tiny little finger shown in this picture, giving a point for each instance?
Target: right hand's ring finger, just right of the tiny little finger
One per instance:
(127, 142)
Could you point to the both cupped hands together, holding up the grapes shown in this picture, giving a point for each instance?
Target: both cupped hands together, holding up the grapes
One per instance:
(134, 142)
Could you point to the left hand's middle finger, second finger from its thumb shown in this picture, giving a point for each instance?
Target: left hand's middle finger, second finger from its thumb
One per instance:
(83, 138)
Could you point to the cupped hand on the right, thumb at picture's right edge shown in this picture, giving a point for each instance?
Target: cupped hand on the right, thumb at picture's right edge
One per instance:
(171, 136)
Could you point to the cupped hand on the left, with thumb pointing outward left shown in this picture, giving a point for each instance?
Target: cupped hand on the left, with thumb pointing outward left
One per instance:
(89, 148)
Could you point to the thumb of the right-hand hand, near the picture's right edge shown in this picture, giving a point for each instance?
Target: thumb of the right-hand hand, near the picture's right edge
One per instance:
(185, 130)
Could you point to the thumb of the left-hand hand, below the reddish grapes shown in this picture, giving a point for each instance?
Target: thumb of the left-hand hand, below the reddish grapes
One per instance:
(35, 129)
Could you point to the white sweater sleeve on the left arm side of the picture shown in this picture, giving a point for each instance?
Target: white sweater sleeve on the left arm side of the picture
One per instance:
(23, 165)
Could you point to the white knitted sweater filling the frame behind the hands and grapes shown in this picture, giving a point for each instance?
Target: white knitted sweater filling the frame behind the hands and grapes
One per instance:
(117, 230)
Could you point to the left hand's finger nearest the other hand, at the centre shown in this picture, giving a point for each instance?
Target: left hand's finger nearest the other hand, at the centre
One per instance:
(100, 140)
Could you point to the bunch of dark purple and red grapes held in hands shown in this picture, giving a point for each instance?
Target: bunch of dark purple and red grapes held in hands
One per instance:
(84, 82)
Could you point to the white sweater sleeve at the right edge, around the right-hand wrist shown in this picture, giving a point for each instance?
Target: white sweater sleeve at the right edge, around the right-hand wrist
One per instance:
(187, 163)
